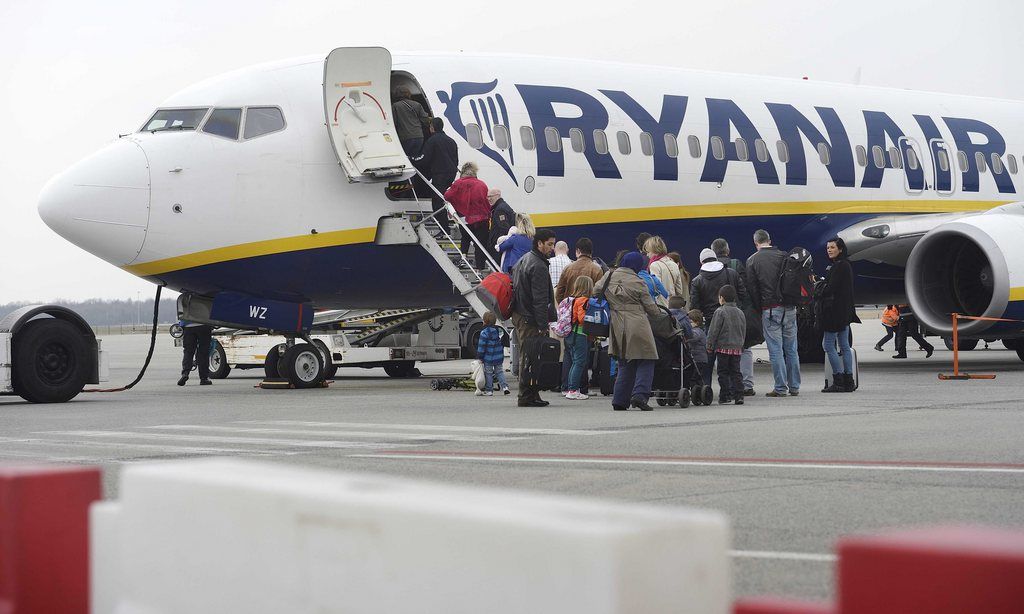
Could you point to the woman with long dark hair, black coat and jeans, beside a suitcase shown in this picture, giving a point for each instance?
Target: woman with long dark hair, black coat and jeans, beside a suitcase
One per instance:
(838, 312)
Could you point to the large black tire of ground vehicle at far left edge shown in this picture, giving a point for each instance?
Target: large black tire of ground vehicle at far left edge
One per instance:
(52, 362)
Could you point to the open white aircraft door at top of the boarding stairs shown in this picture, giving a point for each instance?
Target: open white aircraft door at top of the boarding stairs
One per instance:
(358, 106)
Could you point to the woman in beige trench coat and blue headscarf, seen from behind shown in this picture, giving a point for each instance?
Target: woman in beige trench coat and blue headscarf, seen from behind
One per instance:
(631, 341)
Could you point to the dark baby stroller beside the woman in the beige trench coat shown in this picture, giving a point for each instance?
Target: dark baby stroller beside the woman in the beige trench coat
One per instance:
(677, 379)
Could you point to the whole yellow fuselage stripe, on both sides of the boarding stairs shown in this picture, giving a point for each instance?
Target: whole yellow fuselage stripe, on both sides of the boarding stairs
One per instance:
(575, 218)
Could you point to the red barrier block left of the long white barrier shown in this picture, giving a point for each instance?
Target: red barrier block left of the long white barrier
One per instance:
(45, 539)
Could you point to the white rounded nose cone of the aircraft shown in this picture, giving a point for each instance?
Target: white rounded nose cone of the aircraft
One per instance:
(102, 204)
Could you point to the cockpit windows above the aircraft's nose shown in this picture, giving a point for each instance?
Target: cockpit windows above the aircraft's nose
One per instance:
(222, 122)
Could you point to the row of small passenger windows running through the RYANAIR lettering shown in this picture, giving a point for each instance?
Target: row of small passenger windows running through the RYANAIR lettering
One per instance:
(553, 142)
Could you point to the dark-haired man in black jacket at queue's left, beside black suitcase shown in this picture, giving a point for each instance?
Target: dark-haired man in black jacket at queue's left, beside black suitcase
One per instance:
(533, 305)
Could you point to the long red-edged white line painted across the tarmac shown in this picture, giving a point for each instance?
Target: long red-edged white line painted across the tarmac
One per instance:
(899, 466)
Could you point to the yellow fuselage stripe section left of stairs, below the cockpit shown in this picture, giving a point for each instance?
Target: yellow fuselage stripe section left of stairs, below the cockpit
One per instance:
(250, 250)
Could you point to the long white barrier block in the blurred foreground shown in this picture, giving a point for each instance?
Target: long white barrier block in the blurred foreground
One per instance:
(228, 536)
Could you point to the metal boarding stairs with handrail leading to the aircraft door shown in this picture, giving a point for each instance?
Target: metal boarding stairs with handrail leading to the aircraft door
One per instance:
(443, 245)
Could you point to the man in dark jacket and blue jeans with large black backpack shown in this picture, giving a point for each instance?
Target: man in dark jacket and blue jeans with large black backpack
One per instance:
(779, 321)
